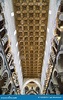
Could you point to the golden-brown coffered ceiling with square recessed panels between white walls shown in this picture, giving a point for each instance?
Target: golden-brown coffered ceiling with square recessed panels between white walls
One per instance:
(31, 17)
